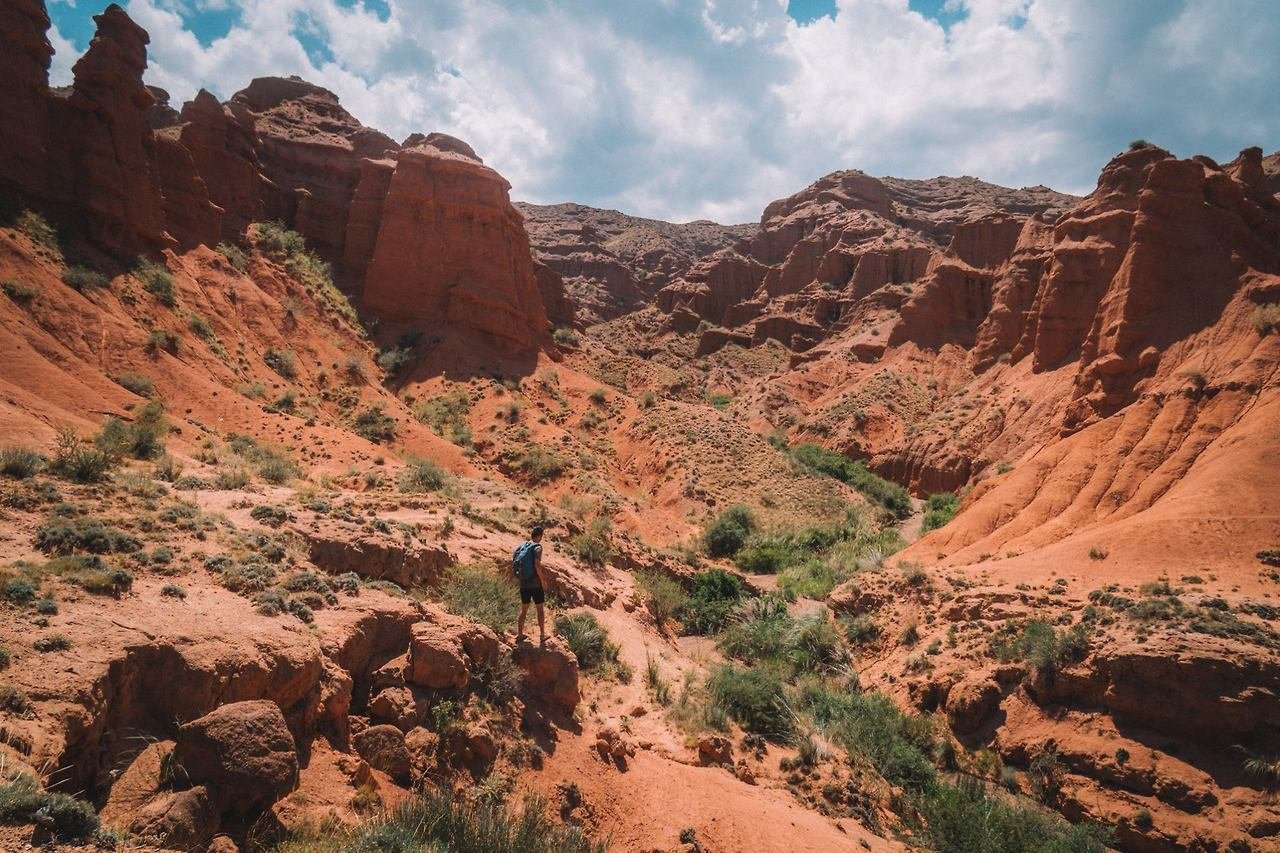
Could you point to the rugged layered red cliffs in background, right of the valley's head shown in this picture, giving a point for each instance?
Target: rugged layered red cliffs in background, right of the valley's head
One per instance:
(808, 271)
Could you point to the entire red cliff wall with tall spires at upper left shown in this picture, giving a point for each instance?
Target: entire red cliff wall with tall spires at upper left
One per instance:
(426, 229)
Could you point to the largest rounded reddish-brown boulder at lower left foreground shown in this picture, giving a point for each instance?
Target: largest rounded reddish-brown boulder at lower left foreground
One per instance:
(243, 752)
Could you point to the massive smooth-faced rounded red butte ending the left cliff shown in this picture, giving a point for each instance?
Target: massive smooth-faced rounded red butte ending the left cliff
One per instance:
(454, 253)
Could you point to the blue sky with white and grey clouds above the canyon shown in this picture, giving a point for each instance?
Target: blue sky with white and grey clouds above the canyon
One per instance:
(687, 110)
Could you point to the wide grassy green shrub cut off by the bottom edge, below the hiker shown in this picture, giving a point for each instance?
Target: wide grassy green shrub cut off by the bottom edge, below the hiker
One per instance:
(442, 820)
